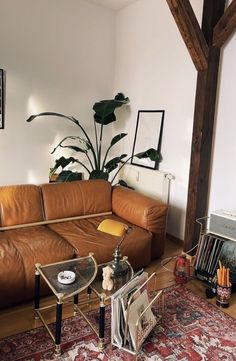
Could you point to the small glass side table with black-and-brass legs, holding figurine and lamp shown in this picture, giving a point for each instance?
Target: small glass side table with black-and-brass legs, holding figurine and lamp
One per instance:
(104, 296)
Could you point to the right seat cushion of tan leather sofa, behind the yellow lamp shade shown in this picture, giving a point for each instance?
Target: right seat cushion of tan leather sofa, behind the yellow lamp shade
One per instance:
(84, 237)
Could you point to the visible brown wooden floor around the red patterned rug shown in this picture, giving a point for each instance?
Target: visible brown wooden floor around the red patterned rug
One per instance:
(21, 318)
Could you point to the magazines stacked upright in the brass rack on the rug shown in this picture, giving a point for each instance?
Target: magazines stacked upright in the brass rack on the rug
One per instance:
(132, 317)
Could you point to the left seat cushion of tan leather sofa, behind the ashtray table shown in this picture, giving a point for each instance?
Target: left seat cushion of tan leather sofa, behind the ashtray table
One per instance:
(37, 244)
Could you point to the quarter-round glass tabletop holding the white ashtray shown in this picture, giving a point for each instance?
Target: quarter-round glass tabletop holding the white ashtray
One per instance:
(85, 269)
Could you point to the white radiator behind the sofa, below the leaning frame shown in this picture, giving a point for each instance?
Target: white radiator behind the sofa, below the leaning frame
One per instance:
(151, 182)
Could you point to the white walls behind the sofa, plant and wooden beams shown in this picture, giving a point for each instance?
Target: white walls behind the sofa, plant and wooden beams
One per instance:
(59, 56)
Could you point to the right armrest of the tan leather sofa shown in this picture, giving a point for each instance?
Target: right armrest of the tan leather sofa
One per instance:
(143, 211)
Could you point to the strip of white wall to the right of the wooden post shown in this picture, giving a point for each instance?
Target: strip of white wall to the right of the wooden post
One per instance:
(223, 180)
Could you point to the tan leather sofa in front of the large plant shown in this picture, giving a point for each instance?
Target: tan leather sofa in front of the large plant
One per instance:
(58, 221)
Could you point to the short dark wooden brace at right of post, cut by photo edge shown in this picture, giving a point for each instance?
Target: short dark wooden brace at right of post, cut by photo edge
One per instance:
(225, 26)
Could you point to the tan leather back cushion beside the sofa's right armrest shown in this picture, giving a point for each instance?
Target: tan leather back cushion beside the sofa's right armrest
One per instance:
(76, 198)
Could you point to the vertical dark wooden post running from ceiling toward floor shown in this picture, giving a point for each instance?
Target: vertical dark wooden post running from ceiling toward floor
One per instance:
(203, 126)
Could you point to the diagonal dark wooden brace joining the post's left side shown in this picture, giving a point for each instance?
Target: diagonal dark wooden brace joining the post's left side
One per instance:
(190, 30)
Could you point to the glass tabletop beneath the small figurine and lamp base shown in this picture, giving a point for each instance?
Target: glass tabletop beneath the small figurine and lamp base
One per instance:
(119, 281)
